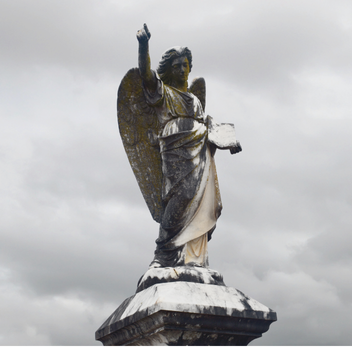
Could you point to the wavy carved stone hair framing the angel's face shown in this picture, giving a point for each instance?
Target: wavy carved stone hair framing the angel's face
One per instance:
(164, 68)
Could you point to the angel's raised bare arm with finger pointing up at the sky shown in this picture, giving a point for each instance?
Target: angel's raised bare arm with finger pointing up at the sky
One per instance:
(145, 71)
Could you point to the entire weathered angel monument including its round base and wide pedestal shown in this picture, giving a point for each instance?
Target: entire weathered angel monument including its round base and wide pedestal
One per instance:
(171, 143)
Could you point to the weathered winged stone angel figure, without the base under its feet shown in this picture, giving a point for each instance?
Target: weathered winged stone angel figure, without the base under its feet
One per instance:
(171, 144)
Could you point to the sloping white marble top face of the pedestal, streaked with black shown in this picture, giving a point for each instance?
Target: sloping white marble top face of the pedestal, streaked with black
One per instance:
(193, 298)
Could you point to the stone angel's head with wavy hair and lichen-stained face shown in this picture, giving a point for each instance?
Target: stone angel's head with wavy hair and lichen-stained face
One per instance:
(175, 63)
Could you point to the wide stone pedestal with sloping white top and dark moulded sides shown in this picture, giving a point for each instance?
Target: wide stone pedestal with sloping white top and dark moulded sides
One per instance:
(186, 313)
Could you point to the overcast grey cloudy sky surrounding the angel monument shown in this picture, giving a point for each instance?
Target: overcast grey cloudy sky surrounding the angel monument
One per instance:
(75, 233)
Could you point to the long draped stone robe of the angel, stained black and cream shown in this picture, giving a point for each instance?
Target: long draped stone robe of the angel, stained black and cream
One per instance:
(190, 190)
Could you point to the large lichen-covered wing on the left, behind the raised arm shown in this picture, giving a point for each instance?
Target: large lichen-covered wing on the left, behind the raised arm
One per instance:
(139, 127)
